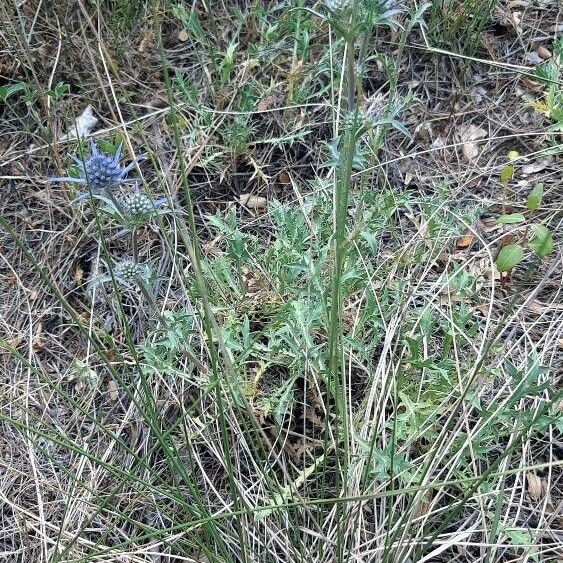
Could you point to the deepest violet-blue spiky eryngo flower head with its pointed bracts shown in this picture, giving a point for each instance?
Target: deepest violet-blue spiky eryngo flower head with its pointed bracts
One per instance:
(100, 172)
